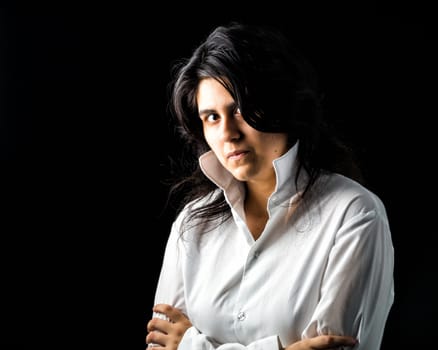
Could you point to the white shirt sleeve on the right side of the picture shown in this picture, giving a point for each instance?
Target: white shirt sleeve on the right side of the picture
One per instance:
(357, 288)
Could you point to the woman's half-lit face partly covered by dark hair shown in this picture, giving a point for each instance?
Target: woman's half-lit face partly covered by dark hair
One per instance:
(244, 151)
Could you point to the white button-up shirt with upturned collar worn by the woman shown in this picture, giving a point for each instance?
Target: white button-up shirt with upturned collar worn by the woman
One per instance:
(322, 267)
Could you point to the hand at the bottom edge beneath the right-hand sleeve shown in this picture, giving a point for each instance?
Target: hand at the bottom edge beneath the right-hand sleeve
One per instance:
(326, 342)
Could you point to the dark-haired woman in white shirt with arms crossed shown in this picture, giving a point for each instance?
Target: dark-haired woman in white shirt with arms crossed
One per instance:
(277, 244)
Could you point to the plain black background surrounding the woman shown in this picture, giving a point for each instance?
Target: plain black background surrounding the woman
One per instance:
(84, 144)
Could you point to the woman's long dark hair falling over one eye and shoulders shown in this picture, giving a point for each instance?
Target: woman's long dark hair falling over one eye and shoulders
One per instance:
(276, 89)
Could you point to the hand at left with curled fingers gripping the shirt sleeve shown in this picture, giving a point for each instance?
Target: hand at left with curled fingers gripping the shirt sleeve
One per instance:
(167, 334)
